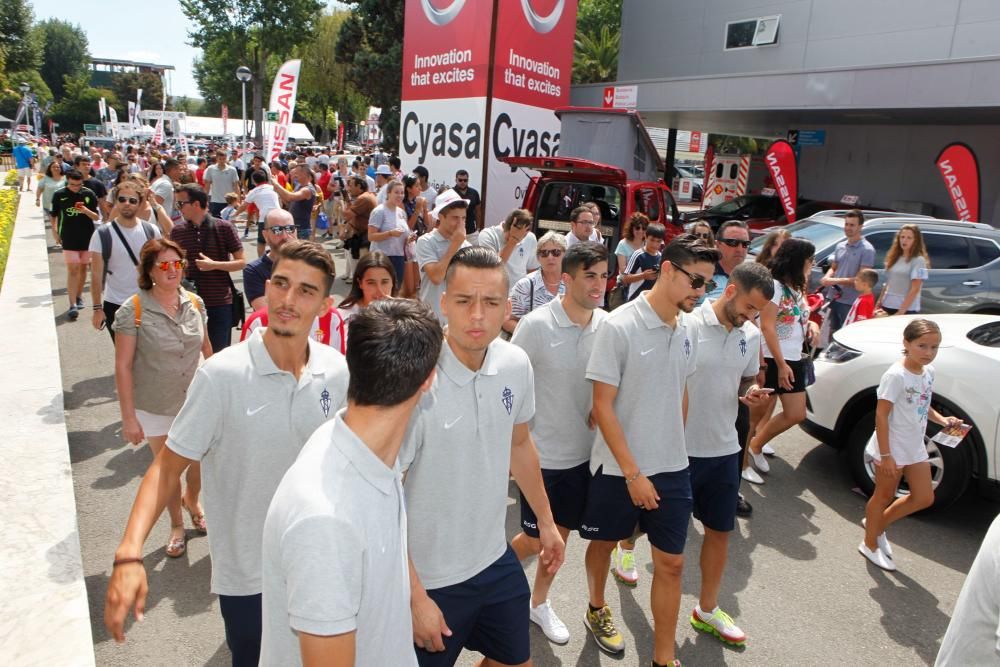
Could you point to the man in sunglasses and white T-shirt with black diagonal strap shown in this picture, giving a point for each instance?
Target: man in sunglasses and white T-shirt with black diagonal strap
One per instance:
(120, 241)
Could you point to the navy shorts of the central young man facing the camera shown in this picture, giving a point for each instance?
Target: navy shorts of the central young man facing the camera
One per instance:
(487, 614)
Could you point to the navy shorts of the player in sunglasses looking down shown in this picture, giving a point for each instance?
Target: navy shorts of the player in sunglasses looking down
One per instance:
(611, 515)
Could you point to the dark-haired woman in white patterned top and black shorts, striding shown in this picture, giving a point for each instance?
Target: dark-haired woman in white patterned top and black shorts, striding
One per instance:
(785, 326)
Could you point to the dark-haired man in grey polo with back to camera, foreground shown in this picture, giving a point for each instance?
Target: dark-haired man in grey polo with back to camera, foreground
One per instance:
(336, 580)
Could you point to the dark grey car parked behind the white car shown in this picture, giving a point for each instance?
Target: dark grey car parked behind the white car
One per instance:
(964, 274)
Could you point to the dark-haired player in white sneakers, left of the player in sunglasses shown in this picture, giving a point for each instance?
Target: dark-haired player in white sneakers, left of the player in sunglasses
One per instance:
(558, 338)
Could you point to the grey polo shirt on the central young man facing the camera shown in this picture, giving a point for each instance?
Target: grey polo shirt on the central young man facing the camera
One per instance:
(457, 462)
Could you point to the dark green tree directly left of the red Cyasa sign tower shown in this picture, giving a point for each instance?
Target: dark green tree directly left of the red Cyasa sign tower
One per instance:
(371, 42)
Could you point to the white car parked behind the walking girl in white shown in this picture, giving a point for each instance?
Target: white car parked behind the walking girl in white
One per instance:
(840, 406)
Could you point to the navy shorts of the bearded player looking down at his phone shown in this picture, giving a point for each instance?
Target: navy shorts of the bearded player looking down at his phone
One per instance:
(715, 486)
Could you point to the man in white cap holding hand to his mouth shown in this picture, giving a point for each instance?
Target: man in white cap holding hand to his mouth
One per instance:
(435, 250)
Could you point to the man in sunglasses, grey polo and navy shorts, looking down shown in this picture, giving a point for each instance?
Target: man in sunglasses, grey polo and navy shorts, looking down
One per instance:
(643, 355)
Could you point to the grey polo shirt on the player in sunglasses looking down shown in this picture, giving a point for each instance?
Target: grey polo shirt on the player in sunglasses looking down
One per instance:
(649, 362)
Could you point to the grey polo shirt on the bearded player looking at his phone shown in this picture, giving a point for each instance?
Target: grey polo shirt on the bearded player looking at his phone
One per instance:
(724, 359)
